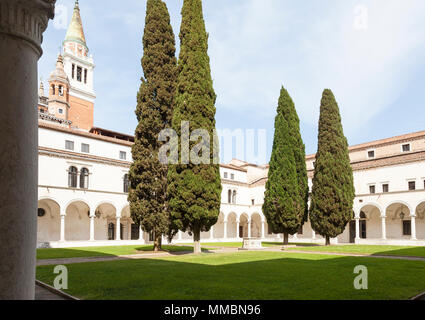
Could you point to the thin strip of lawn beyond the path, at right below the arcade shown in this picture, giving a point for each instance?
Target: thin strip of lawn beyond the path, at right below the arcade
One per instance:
(404, 251)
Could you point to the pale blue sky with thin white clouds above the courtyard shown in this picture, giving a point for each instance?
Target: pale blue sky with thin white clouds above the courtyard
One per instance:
(370, 53)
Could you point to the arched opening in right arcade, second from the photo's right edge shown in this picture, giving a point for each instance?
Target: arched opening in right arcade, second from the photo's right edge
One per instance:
(398, 221)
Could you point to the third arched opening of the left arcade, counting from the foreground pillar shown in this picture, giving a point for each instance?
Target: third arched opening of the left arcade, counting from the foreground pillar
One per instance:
(105, 214)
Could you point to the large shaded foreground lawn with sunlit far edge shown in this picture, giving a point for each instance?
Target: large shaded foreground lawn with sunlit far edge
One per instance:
(242, 275)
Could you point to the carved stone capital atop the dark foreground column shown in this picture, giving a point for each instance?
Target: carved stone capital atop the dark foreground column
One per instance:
(26, 19)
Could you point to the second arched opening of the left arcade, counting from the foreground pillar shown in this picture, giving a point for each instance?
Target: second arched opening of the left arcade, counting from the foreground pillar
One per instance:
(77, 221)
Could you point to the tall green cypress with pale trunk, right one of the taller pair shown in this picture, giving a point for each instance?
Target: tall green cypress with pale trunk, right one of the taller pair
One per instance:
(194, 189)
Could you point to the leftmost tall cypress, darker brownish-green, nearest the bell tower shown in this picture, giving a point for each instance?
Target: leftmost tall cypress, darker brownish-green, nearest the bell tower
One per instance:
(148, 177)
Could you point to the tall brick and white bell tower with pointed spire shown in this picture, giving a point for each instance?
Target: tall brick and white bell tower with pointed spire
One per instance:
(79, 66)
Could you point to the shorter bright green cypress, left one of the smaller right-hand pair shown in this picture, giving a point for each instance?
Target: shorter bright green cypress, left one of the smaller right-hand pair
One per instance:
(286, 196)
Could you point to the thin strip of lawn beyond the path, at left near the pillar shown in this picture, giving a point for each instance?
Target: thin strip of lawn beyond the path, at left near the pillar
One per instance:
(104, 251)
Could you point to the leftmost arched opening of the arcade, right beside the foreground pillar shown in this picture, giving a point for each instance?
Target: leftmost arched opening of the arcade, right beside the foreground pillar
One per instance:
(48, 221)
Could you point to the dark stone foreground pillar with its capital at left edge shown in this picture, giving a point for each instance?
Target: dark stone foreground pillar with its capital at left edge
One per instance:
(22, 23)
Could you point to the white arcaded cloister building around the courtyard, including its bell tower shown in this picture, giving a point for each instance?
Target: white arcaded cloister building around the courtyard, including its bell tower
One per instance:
(83, 176)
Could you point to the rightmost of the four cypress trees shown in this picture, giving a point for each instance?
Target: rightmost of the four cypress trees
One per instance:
(333, 190)
